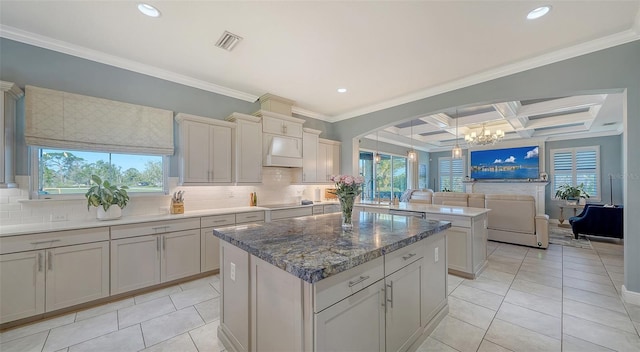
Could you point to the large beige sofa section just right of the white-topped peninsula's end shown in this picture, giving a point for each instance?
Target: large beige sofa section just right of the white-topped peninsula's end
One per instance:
(513, 219)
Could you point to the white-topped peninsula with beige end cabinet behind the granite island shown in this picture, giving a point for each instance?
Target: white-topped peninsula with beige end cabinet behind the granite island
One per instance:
(466, 239)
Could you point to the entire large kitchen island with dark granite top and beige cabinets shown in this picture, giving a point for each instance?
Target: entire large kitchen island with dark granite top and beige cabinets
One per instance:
(304, 284)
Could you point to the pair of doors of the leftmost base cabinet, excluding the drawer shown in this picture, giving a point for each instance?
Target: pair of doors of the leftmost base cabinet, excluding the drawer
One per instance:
(36, 282)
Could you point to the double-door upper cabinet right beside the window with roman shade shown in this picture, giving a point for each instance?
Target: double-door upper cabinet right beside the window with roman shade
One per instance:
(204, 150)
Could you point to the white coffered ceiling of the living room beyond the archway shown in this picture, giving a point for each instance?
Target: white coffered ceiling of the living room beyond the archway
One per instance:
(542, 119)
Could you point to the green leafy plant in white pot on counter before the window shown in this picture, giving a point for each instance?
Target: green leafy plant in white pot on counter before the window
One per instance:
(109, 199)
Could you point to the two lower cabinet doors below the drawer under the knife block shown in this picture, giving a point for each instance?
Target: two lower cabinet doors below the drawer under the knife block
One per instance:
(139, 262)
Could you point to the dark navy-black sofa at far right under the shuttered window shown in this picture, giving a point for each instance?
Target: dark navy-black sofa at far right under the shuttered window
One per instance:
(598, 220)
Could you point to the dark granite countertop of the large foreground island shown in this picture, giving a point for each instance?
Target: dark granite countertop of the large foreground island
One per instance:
(315, 247)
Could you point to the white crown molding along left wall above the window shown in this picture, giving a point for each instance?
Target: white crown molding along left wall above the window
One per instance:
(111, 60)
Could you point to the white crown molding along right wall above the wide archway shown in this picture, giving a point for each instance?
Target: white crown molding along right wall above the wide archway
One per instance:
(619, 38)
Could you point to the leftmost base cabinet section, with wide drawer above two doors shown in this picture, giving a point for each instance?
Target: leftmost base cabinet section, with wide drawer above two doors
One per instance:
(48, 271)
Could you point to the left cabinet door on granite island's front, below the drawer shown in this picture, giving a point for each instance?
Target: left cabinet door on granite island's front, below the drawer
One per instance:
(354, 324)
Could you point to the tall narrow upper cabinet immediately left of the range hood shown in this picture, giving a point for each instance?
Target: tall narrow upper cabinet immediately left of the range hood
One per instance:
(248, 148)
